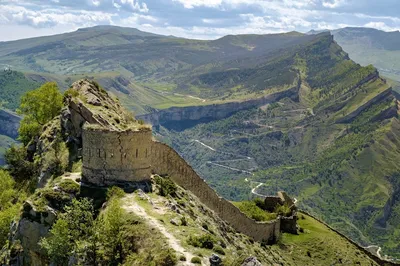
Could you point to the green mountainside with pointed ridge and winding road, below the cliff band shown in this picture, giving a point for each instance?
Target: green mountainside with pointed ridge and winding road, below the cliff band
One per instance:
(336, 148)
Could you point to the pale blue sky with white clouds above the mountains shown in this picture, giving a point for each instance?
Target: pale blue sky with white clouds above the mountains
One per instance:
(199, 19)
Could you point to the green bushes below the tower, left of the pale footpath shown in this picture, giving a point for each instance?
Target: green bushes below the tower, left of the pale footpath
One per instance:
(113, 237)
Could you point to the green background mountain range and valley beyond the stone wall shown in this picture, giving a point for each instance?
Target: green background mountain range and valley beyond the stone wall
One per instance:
(323, 127)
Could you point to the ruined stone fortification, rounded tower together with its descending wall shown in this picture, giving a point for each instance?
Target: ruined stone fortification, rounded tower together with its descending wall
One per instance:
(112, 157)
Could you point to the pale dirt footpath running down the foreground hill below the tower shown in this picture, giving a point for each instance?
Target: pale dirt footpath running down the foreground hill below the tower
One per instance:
(131, 205)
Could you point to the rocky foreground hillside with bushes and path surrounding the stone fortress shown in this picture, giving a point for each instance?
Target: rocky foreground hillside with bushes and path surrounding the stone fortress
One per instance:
(66, 221)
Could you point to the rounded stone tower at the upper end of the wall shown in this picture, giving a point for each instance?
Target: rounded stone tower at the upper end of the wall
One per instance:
(111, 157)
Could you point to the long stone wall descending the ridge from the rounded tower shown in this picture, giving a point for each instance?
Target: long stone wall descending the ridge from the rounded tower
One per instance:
(165, 160)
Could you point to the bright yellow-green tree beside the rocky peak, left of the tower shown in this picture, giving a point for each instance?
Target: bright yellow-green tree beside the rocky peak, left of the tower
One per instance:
(38, 107)
